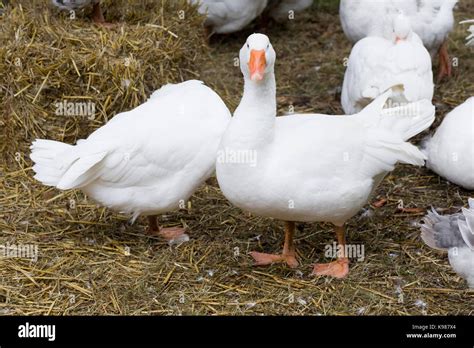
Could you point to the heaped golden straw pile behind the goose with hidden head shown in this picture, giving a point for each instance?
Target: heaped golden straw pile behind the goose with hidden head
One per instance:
(47, 57)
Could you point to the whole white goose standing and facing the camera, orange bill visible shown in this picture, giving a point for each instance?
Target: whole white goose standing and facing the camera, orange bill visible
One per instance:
(308, 167)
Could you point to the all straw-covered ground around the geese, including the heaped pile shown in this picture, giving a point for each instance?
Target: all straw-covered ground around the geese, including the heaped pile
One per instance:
(92, 262)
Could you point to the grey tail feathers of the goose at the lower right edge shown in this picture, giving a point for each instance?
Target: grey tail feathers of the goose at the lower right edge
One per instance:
(441, 232)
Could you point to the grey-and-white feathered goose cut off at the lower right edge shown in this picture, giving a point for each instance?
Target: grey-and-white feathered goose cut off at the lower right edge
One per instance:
(455, 234)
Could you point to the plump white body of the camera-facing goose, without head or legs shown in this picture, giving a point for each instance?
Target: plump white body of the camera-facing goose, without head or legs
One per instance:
(314, 167)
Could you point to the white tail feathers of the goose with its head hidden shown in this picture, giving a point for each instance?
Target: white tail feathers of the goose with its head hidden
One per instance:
(62, 165)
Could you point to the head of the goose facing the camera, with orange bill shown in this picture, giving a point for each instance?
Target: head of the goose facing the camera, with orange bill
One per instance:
(257, 57)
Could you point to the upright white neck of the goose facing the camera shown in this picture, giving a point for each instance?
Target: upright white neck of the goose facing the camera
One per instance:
(254, 119)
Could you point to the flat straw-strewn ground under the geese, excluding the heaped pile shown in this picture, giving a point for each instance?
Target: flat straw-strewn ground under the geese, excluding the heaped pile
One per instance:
(91, 261)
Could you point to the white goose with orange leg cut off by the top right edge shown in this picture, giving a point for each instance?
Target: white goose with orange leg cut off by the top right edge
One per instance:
(432, 20)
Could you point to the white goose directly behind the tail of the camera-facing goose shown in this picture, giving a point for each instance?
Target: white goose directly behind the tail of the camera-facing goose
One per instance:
(377, 63)
